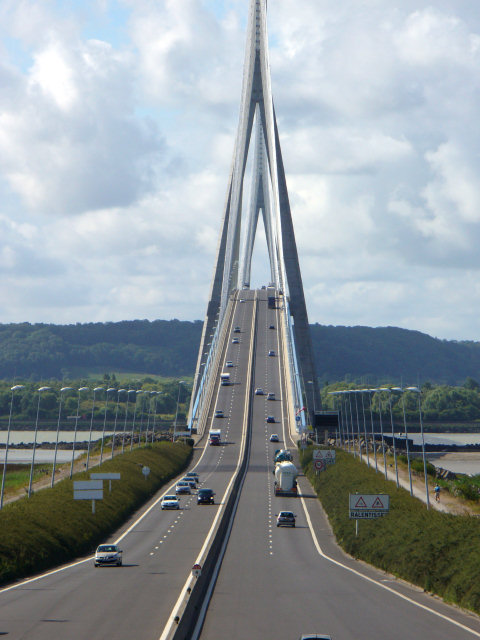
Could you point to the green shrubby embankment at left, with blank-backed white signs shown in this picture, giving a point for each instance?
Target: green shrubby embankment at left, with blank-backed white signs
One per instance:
(51, 528)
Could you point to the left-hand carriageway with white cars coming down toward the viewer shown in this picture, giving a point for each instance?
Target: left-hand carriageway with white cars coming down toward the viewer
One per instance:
(80, 602)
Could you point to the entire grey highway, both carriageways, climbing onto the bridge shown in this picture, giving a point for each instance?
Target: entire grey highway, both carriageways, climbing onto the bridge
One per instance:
(274, 583)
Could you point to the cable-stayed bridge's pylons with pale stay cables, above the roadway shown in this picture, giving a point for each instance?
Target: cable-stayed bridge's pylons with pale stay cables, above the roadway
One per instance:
(258, 135)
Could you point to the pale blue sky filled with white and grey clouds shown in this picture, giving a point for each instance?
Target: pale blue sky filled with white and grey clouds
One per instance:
(117, 126)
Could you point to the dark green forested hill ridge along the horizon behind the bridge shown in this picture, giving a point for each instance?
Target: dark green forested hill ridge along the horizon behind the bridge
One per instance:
(169, 348)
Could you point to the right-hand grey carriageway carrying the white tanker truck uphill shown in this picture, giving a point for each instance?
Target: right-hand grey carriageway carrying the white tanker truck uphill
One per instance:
(275, 583)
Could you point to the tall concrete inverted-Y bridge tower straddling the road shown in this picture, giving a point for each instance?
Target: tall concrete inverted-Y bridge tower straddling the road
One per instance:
(269, 196)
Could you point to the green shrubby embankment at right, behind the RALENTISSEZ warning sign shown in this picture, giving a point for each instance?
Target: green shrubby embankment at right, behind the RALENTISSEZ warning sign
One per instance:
(436, 551)
